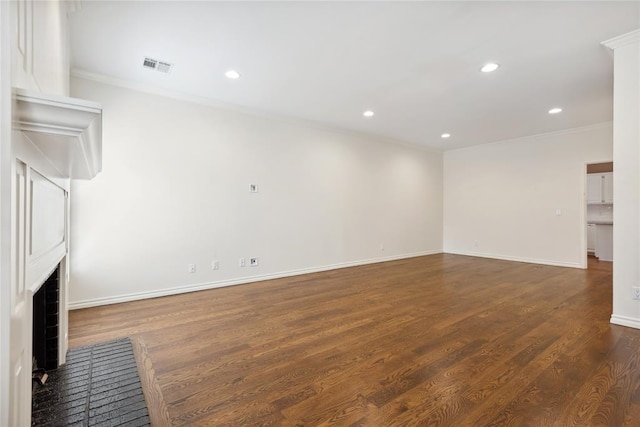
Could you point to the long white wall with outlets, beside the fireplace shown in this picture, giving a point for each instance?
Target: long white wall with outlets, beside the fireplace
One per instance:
(174, 190)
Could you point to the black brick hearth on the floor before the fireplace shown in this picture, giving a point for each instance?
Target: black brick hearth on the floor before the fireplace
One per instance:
(98, 386)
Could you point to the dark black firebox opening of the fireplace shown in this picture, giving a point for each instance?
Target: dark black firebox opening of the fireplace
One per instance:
(46, 318)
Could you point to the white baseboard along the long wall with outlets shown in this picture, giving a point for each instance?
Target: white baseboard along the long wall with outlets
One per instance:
(241, 281)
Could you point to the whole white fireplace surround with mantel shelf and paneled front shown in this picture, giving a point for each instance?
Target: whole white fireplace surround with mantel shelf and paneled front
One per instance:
(54, 139)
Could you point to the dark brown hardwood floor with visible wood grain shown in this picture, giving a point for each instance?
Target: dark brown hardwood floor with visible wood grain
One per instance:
(435, 340)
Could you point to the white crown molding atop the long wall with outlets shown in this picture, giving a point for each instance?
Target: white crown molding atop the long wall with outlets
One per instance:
(208, 102)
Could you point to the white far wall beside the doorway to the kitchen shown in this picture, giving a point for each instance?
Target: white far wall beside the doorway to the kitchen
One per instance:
(500, 199)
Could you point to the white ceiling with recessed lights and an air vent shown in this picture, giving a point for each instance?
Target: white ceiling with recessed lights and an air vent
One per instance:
(415, 64)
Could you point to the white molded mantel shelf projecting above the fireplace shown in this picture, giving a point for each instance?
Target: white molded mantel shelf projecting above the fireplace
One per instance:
(66, 131)
